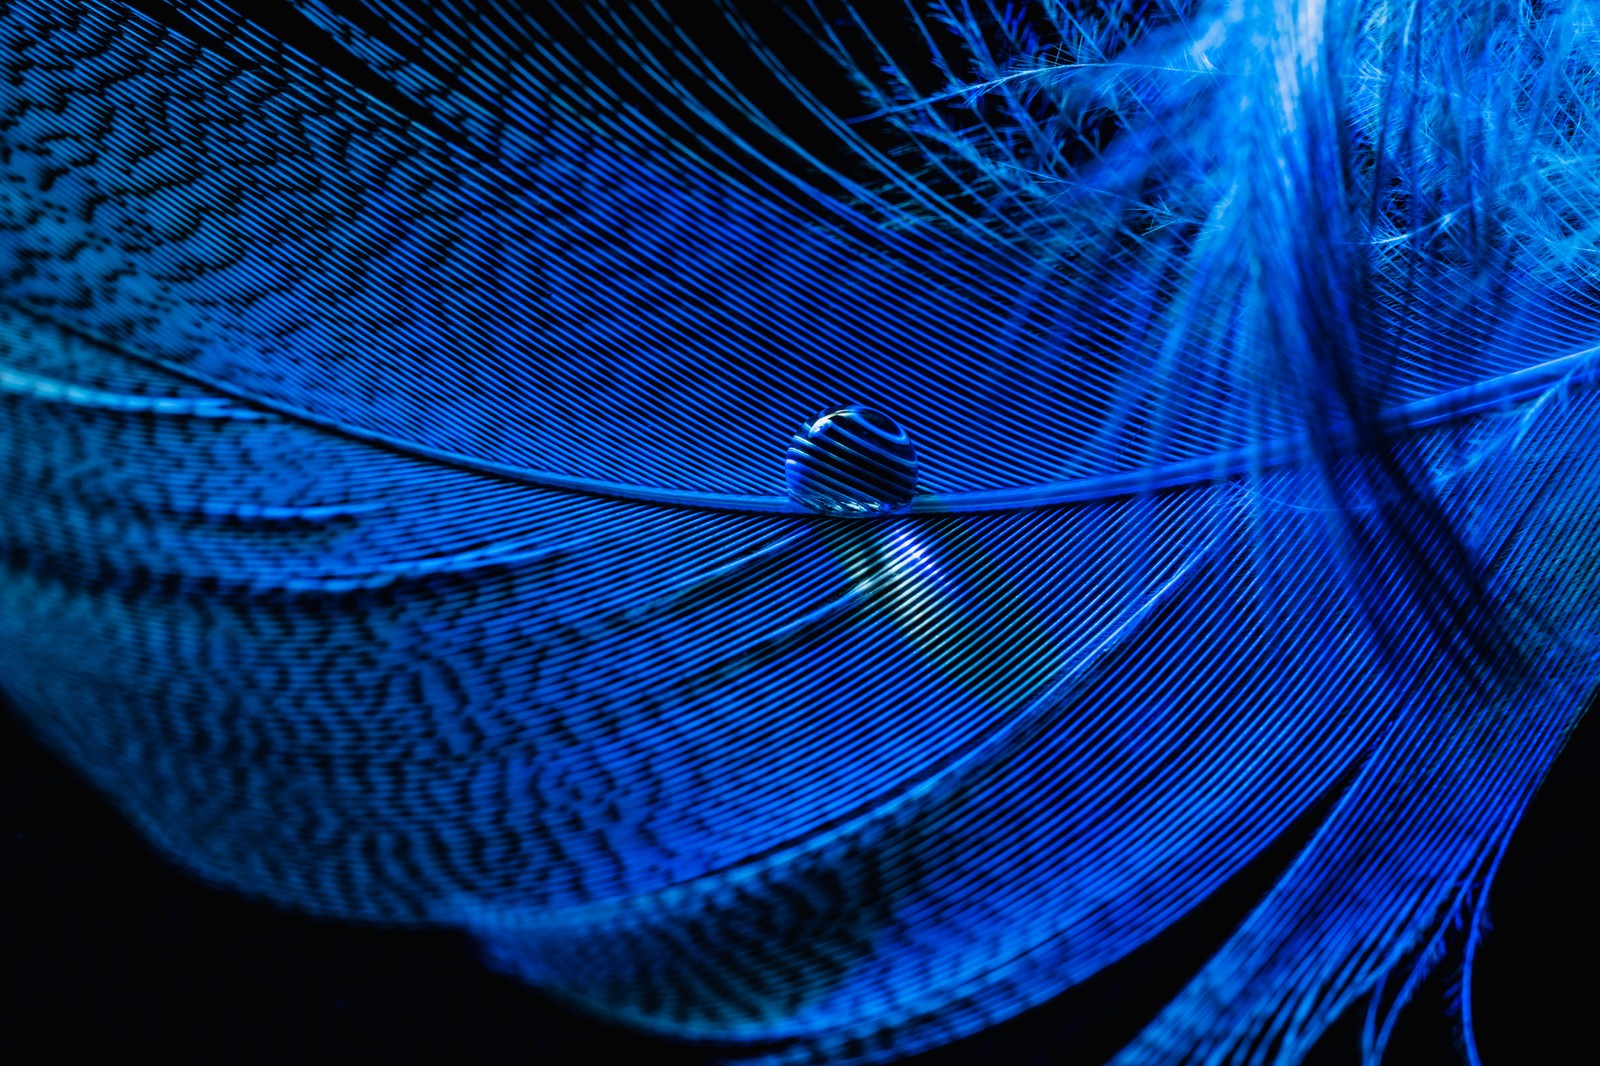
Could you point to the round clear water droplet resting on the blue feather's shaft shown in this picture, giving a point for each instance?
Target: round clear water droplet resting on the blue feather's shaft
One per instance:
(852, 462)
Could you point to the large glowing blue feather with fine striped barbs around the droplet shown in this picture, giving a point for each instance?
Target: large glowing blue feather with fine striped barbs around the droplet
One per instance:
(396, 401)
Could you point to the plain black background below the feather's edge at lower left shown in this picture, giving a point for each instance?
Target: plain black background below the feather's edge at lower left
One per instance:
(111, 950)
